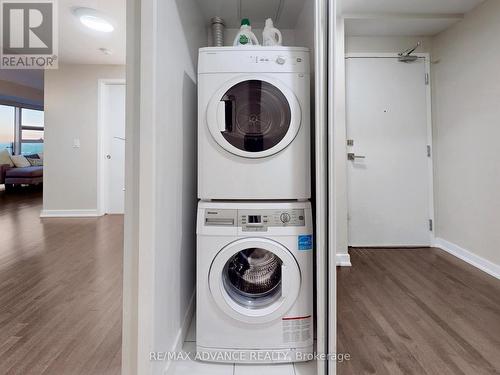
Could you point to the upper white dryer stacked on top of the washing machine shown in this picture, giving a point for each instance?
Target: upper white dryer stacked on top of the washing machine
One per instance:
(253, 123)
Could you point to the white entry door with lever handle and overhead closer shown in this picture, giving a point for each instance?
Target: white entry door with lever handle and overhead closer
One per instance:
(388, 189)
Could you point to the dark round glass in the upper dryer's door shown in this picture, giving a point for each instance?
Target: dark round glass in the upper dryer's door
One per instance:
(257, 116)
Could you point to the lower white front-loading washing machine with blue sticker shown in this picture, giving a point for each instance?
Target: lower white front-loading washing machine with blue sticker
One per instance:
(254, 282)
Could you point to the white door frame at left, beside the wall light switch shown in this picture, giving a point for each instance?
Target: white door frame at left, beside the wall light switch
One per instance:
(102, 179)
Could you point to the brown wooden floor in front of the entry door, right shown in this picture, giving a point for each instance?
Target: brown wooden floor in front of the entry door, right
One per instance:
(419, 311)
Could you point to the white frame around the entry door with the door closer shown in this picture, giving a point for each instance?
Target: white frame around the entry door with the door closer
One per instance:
(430, 159)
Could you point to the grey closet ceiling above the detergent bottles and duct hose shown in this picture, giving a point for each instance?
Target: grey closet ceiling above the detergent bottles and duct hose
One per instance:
(283, 12)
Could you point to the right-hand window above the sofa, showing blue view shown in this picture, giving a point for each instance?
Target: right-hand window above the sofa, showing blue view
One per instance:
(32, 131)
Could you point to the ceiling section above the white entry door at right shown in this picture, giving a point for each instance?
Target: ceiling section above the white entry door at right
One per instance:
(403, 17)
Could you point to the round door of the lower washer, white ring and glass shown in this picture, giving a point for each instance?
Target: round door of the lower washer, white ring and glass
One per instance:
(254, 280)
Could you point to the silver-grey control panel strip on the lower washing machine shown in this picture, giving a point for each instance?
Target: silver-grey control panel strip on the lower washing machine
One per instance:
(255, 220)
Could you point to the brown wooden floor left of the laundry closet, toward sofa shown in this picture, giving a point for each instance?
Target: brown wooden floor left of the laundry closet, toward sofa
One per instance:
(60, 291)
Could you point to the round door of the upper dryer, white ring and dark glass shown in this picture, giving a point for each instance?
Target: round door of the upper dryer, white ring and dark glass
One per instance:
(254, 117)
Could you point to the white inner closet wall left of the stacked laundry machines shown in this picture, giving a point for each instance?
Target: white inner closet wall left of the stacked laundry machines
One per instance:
(181, 31)
